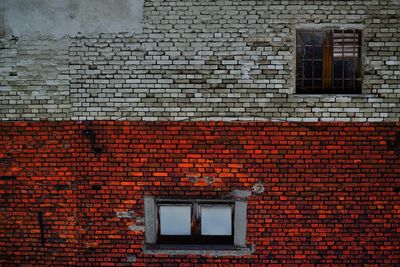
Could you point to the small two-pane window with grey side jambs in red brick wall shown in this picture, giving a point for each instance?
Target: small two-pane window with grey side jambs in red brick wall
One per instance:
(175, 223)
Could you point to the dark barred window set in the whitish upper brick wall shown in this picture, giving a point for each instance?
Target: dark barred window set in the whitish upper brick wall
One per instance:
(328, 61)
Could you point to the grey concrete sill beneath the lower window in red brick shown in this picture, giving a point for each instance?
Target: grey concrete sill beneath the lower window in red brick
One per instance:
(207, 250)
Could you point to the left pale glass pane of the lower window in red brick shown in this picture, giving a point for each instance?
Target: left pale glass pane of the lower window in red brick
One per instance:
(175, 220)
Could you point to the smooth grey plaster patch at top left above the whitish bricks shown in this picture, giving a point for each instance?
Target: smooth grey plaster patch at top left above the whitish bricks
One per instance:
(59, 18)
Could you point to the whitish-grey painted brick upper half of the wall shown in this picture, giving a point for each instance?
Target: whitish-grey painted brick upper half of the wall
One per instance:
(203, 60)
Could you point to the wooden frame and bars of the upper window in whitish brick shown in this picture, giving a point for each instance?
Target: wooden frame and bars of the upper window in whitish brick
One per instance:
(328, 61)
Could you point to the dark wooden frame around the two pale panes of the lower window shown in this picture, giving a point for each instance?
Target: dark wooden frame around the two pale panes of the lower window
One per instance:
(195, 238)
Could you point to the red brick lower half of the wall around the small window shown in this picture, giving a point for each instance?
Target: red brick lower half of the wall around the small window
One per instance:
(331, 190)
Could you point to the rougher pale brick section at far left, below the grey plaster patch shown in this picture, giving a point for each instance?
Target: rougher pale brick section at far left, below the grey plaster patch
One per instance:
(34, 79)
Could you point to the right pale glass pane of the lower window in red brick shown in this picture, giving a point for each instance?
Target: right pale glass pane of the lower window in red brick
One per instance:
(216, 220)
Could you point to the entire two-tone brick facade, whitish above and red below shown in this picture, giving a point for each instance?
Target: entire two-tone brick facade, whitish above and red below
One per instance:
(94, 122)
